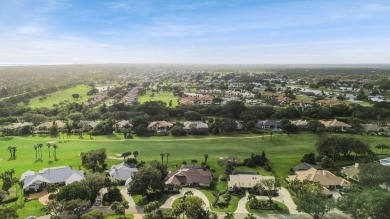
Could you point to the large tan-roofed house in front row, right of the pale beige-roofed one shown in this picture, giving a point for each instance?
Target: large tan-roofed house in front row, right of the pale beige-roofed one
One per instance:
(324, 177)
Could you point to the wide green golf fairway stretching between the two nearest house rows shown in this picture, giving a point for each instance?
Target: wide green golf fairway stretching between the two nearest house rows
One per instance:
(283, 151)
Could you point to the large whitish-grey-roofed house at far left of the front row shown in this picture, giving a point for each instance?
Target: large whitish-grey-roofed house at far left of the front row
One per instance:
(63, 175)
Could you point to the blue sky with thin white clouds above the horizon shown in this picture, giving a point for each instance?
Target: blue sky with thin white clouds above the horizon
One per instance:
(195, 31)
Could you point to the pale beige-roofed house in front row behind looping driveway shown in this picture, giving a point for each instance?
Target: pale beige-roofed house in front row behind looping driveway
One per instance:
(246, 181)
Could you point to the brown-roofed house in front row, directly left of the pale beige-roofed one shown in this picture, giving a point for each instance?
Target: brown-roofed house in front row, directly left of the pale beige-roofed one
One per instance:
(190, 177)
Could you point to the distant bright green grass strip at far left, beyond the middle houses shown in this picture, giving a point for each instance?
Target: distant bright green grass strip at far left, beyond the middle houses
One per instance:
(62, 96)
